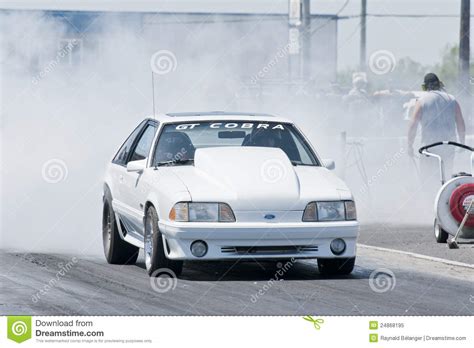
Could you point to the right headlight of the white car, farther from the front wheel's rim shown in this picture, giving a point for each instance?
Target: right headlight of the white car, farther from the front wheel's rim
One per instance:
(330, 211)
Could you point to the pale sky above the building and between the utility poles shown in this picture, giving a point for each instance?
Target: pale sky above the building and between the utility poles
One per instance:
(402, 36)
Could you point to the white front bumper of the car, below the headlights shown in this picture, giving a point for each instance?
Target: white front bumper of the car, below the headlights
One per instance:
(259, 240)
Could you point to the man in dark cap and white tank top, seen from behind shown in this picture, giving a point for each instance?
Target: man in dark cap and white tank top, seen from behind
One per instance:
(440, 117)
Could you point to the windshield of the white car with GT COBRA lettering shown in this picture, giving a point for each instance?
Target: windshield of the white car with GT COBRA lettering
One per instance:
(179, 141)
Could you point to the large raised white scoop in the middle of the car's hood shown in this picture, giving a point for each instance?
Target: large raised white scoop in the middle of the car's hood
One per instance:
(255, 177)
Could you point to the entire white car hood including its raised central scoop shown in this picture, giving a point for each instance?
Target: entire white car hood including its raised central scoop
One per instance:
(257, 178)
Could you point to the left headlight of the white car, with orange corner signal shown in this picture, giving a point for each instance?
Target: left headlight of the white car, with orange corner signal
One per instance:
(201, 212)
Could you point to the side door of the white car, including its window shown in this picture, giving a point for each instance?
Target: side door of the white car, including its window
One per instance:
(132, 192)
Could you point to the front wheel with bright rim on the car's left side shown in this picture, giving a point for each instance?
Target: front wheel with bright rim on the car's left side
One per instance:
(154, 249)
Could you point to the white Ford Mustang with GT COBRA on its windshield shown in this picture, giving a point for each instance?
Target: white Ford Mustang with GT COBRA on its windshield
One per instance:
(217, 186)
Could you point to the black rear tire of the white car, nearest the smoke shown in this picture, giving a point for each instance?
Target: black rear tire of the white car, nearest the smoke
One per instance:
(116, 250)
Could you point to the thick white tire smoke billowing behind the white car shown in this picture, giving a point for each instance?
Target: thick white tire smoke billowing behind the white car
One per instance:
(69, 100)
